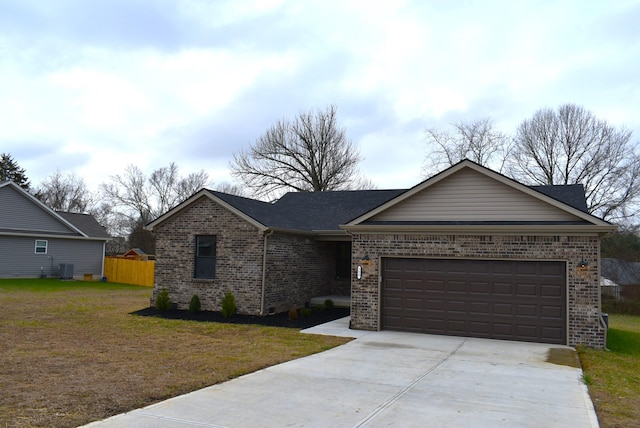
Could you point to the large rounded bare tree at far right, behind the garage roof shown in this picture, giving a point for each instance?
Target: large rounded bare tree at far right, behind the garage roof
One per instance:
(570, 146)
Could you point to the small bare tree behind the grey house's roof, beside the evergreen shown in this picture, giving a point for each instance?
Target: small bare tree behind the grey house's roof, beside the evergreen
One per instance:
(66, 193)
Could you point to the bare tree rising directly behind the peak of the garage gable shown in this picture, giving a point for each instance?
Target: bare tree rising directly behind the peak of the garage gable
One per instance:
(478, 140)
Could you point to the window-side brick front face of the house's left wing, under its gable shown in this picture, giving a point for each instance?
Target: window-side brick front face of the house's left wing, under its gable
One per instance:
(239, 249)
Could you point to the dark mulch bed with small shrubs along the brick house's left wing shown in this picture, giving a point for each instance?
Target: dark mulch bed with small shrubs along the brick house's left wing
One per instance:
(277, 320)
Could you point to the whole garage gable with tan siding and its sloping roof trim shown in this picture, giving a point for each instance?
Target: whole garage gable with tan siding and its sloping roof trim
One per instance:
(468, 192)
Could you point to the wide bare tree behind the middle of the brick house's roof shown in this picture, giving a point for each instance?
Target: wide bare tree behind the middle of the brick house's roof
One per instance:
(309, 153)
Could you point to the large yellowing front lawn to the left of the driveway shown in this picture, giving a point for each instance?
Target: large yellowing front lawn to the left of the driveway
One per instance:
(72, 353)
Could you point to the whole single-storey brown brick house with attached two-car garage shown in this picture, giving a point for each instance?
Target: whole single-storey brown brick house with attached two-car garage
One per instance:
(467, 252)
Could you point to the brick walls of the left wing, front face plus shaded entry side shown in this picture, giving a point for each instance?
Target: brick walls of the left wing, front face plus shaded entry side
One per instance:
(298, 268)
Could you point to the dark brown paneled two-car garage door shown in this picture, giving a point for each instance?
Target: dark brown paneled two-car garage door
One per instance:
(512, 300)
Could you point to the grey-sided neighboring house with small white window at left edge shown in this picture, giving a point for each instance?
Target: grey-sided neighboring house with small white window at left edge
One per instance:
(35, 240)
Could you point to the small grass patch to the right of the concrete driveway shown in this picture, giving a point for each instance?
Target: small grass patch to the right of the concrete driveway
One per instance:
(613, 376)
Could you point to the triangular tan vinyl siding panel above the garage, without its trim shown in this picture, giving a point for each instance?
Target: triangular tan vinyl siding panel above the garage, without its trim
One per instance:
(468, 195)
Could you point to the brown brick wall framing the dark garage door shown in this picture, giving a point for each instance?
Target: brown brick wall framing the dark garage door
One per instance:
(583, 288)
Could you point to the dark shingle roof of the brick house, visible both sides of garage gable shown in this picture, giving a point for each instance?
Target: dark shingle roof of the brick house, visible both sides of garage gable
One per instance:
(326, 211)
